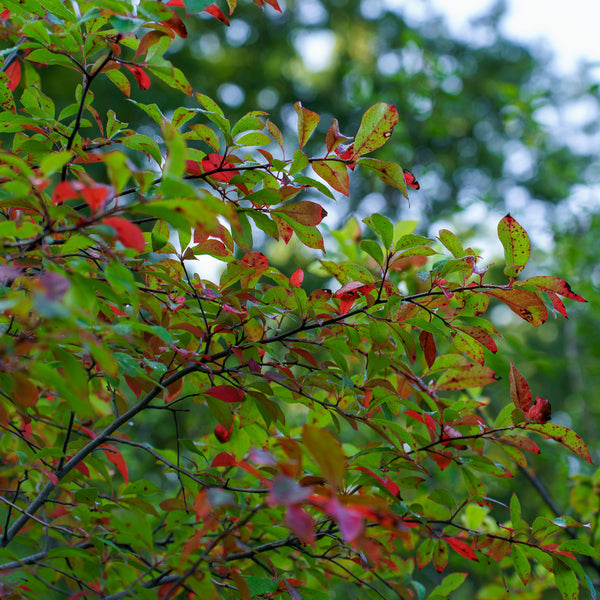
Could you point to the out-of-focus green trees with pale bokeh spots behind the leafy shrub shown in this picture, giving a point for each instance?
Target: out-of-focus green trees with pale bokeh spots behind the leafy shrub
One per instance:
(486, 126)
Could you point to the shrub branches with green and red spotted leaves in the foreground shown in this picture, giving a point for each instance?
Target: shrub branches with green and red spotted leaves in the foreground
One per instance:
(107, 321)
